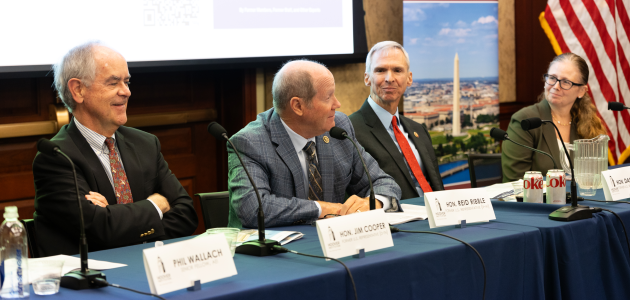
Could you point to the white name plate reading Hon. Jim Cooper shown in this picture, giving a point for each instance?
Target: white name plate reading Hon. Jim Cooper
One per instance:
(346, 235)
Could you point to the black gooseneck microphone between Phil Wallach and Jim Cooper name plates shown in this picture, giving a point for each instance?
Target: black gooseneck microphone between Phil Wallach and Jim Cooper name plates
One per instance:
(262, 247)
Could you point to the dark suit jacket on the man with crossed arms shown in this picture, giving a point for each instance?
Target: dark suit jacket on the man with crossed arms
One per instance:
(56, 209)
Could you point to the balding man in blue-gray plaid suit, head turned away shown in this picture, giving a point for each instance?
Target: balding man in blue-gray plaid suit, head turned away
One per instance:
(301, 172)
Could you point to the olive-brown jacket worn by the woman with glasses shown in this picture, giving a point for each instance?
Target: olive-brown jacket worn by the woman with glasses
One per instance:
(516, 160)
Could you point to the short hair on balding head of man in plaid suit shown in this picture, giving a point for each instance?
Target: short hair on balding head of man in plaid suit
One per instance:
(294, 83)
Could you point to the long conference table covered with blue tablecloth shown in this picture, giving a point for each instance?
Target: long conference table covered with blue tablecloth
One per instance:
(527, 256)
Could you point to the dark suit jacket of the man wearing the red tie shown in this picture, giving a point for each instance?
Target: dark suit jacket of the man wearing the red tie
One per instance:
(376, 141)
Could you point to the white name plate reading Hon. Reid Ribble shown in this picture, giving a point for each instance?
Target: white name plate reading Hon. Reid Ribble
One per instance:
(451, 207)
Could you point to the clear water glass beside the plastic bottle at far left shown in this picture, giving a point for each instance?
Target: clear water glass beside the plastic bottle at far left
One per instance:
(45, 275)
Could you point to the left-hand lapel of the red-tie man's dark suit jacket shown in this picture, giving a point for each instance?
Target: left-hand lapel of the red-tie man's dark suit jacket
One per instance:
(381, 134)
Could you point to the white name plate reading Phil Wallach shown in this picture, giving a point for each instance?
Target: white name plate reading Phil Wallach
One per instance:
(178, 265)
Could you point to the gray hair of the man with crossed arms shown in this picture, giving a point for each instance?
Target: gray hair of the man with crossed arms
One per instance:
(77, 63)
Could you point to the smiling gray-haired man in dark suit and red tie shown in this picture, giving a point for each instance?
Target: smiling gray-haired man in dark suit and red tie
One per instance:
(401, 146)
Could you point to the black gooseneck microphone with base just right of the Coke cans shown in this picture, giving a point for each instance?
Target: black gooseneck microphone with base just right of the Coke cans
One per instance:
(566, 213)
